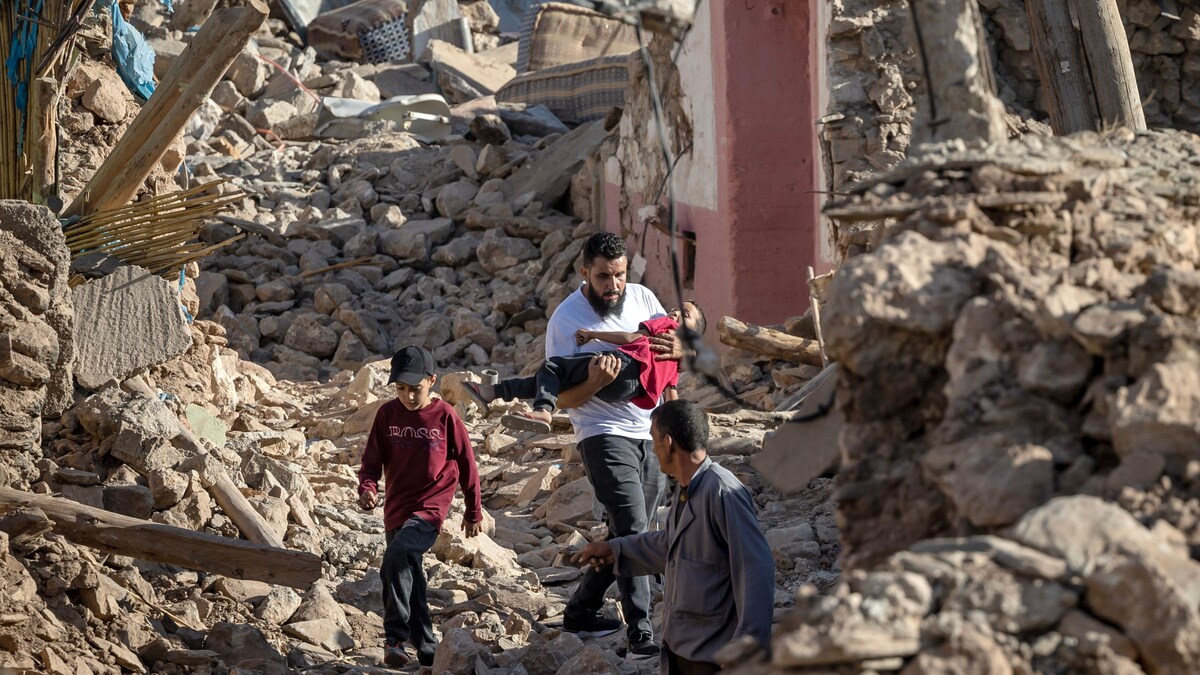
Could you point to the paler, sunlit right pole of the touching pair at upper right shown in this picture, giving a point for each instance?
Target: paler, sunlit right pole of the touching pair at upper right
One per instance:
(1112, 65)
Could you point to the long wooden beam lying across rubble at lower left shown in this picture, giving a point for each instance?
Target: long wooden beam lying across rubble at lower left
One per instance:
(155, 542)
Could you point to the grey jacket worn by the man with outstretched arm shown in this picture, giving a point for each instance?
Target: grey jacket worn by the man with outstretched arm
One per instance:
(721, 576)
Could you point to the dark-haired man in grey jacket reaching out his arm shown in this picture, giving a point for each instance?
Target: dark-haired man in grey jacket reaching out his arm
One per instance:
(721, 576)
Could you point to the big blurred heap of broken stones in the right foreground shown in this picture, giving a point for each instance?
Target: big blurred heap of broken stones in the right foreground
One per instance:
(1019, 361)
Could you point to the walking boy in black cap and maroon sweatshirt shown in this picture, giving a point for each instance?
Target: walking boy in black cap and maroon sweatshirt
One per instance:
(423, 450)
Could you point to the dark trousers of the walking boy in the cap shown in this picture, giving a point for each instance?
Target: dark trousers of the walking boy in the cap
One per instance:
(406, 611)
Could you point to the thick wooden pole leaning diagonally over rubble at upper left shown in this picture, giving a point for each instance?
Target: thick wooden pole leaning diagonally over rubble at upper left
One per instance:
(182, 92)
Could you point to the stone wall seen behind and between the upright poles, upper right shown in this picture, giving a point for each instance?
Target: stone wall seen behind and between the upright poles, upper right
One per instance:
(875, 76)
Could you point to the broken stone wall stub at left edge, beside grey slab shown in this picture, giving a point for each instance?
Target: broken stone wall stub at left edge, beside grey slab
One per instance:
(37, 353)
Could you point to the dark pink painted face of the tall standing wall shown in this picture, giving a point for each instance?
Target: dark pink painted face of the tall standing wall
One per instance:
(766, 74)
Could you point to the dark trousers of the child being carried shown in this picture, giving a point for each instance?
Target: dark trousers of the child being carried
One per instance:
(563, 373)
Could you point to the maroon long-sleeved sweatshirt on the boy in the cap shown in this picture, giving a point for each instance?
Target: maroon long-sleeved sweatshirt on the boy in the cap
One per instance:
(422, 455)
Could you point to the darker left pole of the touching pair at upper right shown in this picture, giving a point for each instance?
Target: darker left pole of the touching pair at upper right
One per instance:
(1061, 68)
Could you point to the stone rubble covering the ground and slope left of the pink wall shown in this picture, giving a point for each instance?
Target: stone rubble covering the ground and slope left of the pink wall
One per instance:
(352, 249)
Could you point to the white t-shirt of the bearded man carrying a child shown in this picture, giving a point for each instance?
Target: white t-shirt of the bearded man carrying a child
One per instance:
(598, 417)
